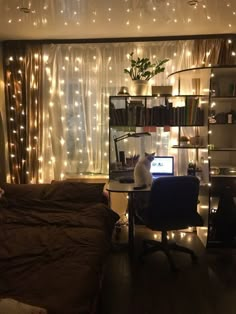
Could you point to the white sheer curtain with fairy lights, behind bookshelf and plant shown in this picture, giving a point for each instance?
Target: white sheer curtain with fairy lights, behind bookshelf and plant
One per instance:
(78, 80)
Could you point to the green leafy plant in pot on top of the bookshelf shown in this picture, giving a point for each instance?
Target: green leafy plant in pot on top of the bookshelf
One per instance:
(142, 70)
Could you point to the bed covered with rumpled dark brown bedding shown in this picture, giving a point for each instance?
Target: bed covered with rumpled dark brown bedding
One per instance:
(54, 243)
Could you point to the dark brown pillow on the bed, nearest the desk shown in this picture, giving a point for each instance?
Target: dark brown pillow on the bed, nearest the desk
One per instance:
(74, 191)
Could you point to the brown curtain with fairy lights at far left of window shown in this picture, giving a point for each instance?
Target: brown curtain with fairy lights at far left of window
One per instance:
(23, 100)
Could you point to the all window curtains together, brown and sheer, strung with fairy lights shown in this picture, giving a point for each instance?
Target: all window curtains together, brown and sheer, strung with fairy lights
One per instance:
(57, 100)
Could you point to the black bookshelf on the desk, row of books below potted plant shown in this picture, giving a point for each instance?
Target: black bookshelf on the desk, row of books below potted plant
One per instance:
(168, 116)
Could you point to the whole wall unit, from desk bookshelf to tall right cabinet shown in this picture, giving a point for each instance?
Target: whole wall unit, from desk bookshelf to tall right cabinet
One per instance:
(203, 109)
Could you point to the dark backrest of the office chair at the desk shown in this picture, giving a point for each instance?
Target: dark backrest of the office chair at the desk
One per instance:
(173, 203)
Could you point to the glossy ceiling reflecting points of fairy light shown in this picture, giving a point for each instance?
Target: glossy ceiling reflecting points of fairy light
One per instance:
(88, 19)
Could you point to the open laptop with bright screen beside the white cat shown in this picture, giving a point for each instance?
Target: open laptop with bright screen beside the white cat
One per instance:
(162, 166)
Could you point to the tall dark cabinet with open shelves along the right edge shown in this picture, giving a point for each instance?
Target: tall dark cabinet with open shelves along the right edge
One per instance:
(222, 156)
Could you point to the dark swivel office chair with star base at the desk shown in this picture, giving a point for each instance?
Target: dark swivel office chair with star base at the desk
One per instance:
(172, 206)
